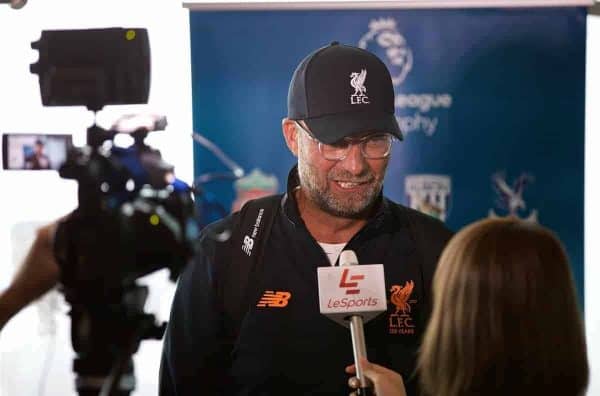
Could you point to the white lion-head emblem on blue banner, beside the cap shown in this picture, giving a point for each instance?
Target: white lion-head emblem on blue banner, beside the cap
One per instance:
(383, 31)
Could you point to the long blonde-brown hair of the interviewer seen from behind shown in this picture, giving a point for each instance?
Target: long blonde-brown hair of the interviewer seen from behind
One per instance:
(505, 319)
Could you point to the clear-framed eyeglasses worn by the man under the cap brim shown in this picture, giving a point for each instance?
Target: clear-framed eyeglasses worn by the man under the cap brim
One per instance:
(376, 146)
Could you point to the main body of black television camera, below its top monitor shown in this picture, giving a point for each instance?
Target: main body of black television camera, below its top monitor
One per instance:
(133, 218)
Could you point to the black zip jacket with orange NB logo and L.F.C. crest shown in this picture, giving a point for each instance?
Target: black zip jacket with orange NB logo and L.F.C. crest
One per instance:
(294, 350)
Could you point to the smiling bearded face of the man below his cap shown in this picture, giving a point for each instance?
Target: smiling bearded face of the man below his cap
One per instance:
(344, 188)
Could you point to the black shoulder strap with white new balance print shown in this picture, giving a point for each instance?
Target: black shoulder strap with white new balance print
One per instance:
(247, 243)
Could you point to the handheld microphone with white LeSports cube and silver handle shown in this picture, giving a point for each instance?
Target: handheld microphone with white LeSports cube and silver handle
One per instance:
(352, 294)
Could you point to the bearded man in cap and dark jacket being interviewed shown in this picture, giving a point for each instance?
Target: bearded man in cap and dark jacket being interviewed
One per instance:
(340, 126)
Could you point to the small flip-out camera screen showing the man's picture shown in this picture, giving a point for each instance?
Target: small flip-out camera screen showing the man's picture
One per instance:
(34, 151)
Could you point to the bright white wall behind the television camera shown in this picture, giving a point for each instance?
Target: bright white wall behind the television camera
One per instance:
(35, 350)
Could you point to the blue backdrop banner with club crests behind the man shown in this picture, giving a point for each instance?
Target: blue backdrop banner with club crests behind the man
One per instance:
(491, 102)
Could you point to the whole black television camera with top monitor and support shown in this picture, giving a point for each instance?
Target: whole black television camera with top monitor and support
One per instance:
(133, 215)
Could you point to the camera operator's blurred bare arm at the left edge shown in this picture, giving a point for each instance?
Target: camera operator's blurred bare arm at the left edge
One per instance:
(38, 273)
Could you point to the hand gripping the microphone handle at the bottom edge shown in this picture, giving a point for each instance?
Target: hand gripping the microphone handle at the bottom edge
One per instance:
(385, 381)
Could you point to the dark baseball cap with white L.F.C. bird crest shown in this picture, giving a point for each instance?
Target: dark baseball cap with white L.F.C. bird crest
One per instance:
(340, 90)
